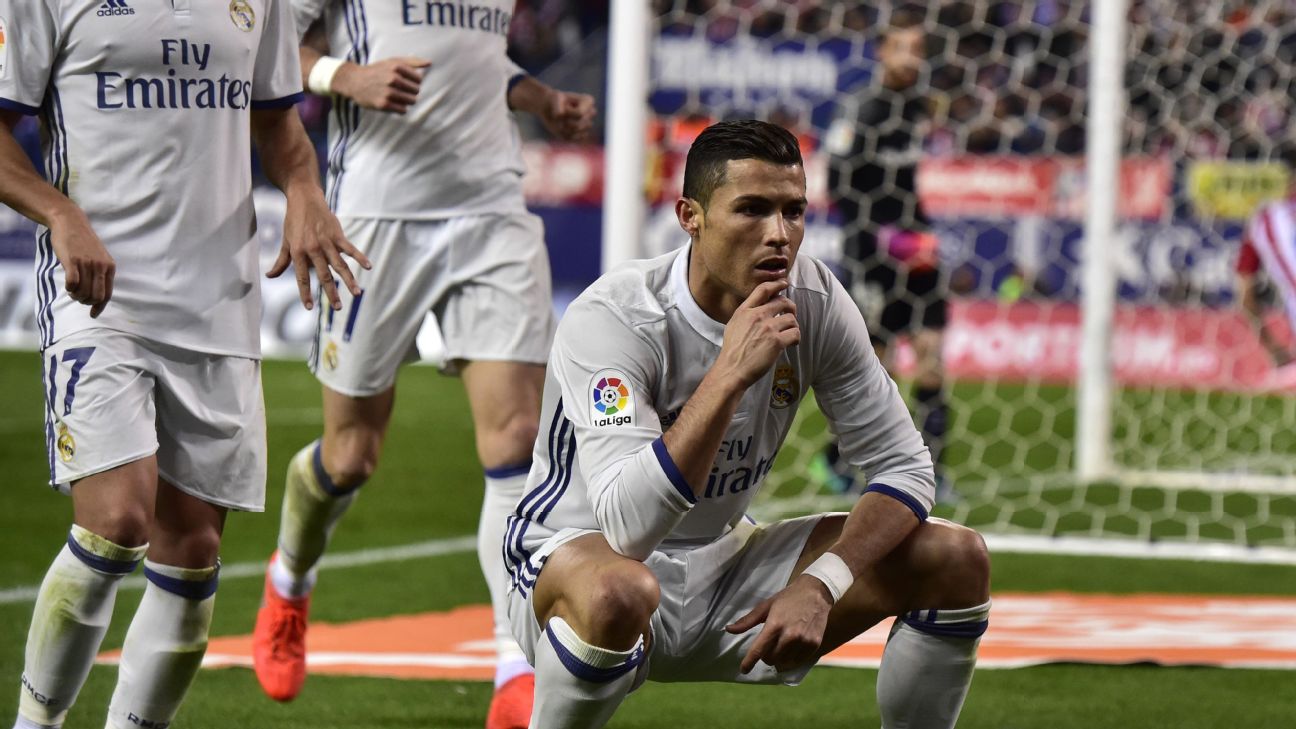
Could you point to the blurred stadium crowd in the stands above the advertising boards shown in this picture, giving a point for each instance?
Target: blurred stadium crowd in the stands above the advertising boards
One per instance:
(1010, 77)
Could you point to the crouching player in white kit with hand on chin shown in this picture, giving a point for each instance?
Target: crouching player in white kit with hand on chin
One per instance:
(672, 386)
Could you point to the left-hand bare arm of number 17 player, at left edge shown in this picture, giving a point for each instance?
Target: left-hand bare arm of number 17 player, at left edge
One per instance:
(87, 267)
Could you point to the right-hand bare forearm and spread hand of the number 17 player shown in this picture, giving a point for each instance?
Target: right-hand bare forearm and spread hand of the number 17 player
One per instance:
(313, 237)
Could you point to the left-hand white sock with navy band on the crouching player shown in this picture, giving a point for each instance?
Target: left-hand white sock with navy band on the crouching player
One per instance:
(579, 686)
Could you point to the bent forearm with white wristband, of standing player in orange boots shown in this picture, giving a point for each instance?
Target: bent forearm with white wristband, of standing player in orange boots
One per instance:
(391, 85)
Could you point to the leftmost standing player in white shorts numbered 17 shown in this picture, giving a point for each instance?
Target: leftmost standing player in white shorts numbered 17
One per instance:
(155, 418)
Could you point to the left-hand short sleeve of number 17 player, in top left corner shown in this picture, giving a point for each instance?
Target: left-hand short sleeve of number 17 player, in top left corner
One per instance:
(29, 45)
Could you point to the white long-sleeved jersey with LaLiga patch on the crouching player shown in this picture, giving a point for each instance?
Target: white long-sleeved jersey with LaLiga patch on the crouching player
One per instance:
(629, 355)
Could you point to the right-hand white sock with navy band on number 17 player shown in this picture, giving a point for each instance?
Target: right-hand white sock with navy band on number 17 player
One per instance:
(164, 647)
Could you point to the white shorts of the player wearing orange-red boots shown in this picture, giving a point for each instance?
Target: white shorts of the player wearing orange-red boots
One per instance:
(485, 280)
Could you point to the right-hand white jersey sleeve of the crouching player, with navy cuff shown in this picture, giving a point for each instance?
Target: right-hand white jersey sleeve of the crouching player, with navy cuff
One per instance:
(865, 409)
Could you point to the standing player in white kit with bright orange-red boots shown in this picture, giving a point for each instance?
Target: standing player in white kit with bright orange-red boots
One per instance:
(426, 176)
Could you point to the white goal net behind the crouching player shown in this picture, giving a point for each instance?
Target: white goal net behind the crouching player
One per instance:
(952, 150)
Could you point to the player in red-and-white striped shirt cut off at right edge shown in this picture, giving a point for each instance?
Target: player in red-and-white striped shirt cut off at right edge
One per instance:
(1269, 245)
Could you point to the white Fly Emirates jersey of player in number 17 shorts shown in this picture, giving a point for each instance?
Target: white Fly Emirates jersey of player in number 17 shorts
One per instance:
(146, 108)
